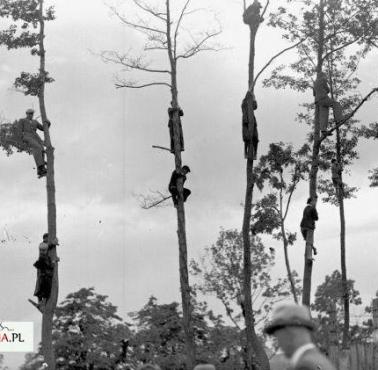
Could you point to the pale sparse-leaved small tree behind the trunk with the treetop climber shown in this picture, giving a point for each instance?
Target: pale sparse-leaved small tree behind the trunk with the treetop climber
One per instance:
(220, 273)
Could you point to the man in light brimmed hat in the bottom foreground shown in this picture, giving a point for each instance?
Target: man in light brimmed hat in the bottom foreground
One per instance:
(291, 324)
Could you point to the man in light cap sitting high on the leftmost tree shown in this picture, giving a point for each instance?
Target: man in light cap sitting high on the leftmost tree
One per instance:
(28, 130)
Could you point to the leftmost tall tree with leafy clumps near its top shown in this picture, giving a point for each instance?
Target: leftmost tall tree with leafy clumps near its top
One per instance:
(28, 31)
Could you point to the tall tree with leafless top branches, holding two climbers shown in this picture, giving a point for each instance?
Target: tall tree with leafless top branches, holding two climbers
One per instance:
(164, 33)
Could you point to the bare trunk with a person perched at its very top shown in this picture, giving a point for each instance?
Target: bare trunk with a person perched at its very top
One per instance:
(256, 356)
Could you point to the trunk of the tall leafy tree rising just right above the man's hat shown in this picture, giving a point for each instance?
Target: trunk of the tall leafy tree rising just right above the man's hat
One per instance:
(306, 297)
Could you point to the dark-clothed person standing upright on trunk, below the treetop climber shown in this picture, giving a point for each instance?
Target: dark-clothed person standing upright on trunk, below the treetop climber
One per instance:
(249, 123)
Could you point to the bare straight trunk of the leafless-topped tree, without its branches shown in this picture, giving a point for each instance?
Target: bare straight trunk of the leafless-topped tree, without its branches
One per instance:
(181, 230)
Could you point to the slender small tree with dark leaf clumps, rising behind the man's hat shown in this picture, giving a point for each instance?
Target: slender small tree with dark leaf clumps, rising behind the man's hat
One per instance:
(282, 169)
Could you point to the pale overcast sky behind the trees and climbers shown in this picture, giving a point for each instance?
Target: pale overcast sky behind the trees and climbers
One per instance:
(104, 159)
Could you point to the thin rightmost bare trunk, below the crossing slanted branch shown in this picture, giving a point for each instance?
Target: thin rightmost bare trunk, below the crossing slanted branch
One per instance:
(344, 282)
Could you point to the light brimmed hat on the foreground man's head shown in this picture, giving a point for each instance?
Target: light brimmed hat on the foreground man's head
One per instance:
(289, 314)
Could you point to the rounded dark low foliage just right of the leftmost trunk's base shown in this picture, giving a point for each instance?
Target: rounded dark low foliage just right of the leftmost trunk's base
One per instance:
(86, 332)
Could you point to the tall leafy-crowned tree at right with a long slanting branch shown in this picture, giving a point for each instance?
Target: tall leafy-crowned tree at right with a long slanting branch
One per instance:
(354, 26)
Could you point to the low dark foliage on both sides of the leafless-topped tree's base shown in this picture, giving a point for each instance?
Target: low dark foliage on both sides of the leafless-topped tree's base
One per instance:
(160, 339)
